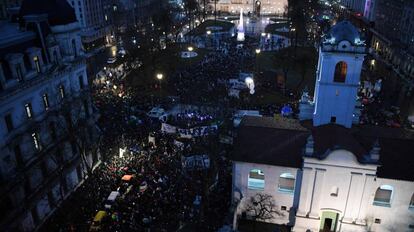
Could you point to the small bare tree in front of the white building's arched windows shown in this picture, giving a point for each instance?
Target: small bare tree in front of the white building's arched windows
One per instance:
(262, 207)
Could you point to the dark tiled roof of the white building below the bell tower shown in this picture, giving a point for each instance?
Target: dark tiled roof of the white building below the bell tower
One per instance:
(281, 142)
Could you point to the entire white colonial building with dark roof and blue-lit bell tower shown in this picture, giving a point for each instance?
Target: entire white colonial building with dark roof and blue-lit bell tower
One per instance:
(323, 172)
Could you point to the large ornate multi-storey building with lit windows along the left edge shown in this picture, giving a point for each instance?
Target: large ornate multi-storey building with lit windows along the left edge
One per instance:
(47, 125)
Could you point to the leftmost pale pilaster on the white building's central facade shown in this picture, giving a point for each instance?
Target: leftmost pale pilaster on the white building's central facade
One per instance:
(306, 191)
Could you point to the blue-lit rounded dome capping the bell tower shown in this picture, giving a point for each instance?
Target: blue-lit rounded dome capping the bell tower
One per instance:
(343, 31)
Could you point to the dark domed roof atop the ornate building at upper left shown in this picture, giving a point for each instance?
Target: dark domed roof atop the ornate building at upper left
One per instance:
(59, 11)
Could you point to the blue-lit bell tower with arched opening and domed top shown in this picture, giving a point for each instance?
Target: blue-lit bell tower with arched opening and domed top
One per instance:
(339, 68)
